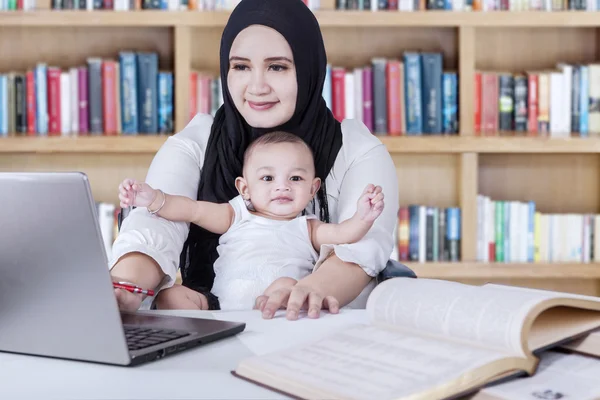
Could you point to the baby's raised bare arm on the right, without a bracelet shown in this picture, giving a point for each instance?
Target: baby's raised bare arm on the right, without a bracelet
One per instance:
(369, 207)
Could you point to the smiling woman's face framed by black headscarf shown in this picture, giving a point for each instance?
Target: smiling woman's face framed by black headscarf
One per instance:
(262, 77)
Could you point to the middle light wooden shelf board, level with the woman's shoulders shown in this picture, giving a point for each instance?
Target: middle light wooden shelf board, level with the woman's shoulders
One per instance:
(396, 145)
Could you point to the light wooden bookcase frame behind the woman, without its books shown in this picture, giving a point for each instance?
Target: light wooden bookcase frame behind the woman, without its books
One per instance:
(560, 175)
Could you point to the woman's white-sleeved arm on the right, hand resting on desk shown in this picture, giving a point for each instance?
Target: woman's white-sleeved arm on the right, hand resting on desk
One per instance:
(344, 270)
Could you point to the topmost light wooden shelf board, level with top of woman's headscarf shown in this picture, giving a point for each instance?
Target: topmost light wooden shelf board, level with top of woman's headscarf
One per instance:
(327, 18)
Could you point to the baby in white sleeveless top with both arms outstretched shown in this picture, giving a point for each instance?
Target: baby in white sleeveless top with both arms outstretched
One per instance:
(266, 239)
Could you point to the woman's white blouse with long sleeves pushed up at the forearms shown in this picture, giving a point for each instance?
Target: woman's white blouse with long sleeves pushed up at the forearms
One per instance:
(175, 169)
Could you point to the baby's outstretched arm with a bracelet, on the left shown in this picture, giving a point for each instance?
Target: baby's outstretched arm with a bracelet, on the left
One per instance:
(213, 217)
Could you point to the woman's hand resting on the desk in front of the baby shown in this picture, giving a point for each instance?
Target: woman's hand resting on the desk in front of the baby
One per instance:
(294, 298)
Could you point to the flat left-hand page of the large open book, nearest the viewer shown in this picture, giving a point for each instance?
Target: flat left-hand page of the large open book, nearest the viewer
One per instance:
(372, 363)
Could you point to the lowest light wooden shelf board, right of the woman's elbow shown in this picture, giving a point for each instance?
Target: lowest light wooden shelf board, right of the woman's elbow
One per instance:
(466, 270)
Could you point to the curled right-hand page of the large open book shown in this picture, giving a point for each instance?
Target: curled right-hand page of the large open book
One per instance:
(485, 315)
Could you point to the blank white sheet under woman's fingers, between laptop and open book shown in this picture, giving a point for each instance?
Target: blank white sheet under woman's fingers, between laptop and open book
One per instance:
(265, 336)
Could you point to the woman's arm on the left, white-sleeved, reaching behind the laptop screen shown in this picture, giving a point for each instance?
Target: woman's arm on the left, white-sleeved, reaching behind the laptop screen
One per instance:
(147, 249)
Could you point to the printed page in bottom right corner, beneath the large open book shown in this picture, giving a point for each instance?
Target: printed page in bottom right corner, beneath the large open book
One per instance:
(559, 376)
